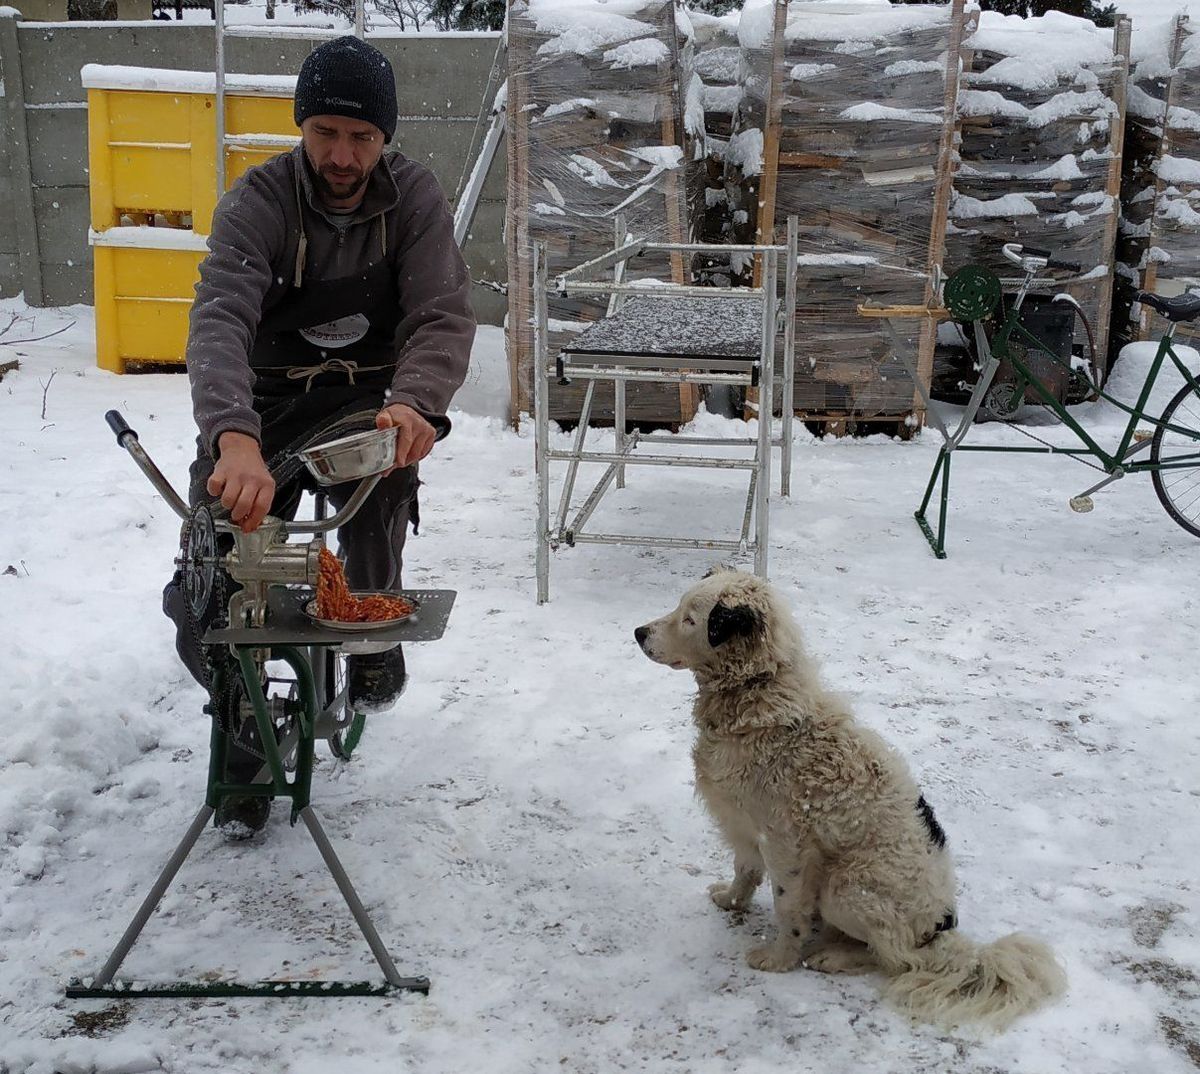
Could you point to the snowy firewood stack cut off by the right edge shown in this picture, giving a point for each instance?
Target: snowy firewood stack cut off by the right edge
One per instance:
(1159, 249)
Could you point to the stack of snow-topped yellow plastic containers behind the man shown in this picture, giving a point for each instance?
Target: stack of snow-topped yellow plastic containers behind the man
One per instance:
(152, 154)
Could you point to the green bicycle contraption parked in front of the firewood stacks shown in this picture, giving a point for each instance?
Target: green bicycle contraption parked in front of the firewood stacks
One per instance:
(974, 295)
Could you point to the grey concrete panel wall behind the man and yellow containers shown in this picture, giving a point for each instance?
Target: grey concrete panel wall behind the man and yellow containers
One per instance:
(44, 160)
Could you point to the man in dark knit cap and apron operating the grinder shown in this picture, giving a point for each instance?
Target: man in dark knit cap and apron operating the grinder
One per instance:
(333, 280)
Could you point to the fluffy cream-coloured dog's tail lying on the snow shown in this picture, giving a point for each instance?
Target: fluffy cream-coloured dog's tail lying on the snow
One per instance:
(953, 981)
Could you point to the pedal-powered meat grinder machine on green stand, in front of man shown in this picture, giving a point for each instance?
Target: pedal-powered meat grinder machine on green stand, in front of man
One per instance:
(251, 602)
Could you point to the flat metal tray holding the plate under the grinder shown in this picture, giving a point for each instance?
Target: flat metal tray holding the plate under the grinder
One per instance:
(287, 625)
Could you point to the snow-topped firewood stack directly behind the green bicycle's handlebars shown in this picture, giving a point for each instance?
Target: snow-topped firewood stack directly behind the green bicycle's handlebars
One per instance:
(1042, 112)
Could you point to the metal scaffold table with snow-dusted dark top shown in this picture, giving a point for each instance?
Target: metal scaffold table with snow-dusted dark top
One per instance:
(675, 334)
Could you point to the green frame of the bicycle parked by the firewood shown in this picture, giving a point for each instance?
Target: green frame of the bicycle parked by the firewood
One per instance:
(1115, 465)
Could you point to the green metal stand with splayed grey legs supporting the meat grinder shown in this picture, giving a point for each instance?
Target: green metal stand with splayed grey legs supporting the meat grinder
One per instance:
(104, 986)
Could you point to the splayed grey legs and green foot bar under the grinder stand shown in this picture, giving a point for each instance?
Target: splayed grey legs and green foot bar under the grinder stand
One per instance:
(103, 986)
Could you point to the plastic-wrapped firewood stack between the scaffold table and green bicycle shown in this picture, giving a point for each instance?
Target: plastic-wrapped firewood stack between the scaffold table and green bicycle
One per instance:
(855, 112)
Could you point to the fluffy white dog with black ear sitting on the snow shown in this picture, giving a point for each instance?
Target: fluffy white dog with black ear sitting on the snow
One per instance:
(859, 866)
